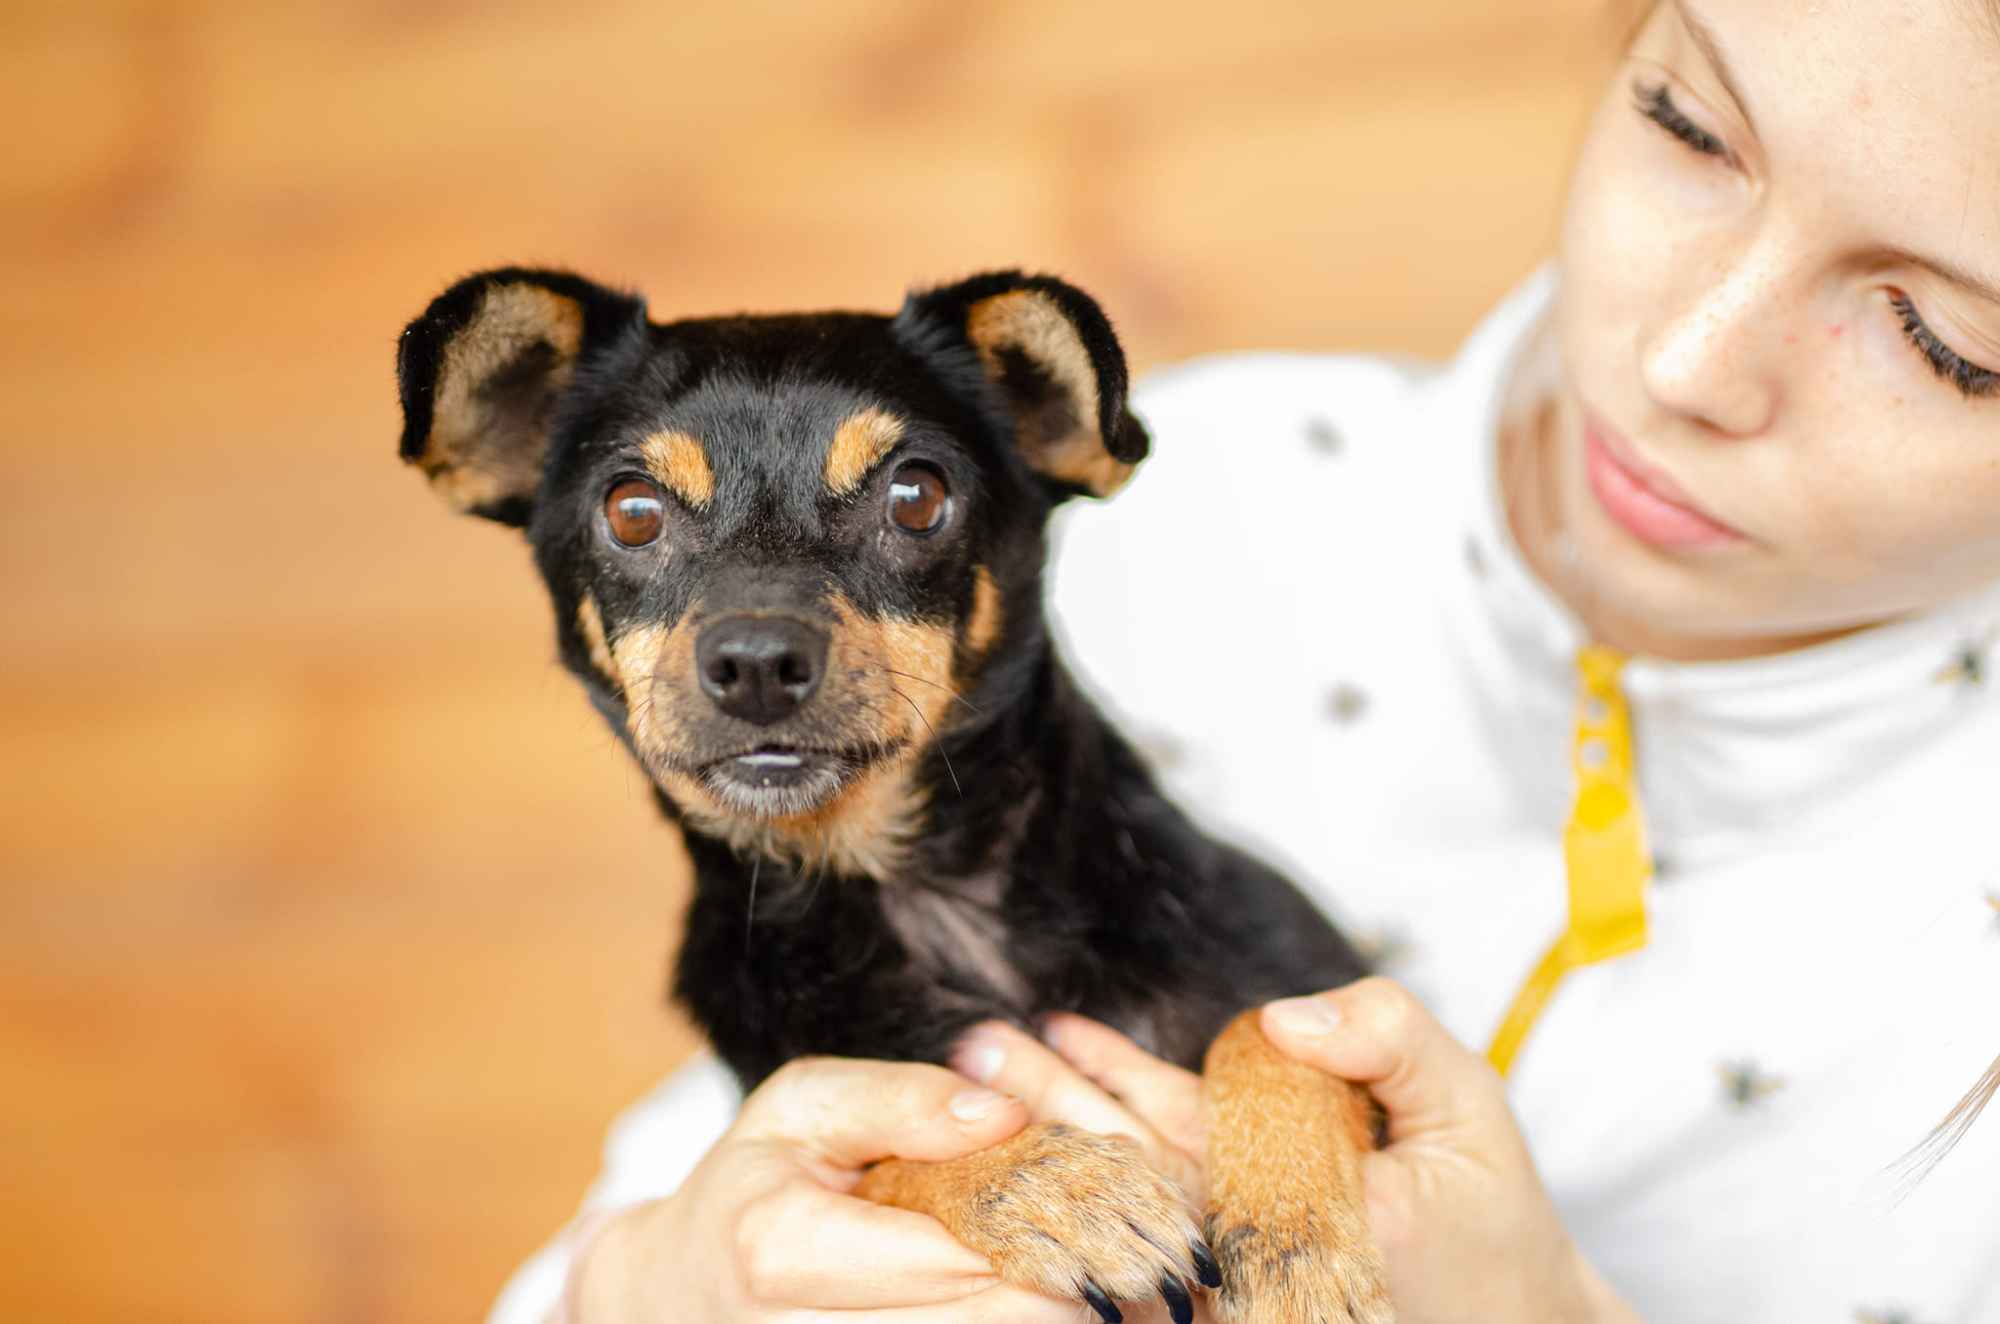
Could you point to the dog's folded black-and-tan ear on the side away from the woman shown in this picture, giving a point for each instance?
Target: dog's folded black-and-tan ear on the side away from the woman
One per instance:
(481, 373)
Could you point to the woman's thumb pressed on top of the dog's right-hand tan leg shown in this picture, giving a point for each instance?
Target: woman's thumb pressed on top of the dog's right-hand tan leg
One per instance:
(1383, 1037)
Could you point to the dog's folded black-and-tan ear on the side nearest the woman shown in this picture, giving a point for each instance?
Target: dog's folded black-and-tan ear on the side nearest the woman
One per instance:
(1049, 353)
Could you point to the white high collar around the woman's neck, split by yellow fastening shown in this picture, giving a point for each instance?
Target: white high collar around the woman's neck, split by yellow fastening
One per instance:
(1729, 753)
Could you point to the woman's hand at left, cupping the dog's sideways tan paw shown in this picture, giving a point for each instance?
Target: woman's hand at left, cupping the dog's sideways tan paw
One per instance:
(763, 1231)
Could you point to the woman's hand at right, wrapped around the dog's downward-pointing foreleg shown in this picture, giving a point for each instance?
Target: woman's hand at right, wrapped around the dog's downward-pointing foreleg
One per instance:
(1455, 1203)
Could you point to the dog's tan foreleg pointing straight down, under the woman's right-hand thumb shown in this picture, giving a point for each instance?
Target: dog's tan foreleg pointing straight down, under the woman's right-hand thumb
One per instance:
(1285, 1207)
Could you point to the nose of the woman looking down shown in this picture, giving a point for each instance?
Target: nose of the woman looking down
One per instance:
(1713, 357)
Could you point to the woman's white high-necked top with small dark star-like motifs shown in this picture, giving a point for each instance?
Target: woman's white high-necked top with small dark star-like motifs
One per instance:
(1309, 611)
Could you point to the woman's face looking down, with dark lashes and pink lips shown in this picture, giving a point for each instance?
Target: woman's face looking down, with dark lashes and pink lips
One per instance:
(1781, 323)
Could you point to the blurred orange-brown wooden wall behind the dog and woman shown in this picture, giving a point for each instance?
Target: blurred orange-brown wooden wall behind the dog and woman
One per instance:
(333, 927)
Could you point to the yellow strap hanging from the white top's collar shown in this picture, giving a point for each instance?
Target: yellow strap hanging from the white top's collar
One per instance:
(1603, 851)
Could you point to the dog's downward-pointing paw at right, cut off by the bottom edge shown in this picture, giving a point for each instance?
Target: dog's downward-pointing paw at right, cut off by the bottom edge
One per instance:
(1297, 1271)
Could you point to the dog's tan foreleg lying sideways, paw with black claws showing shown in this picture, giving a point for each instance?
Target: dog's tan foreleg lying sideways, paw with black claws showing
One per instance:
(1061, 1211)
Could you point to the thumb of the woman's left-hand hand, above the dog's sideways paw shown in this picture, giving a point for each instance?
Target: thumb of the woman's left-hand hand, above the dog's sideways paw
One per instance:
(843, 1115)
